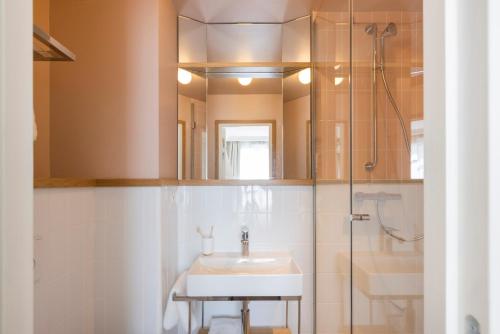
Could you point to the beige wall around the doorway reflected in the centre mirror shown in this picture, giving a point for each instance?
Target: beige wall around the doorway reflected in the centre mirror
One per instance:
(244, 107)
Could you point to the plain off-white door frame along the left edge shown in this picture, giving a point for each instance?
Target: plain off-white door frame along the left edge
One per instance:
(16, 166)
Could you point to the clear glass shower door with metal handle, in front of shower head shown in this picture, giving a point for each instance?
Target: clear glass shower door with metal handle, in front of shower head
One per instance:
(387, 168)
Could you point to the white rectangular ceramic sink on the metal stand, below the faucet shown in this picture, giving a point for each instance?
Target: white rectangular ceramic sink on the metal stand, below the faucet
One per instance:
(230, 274)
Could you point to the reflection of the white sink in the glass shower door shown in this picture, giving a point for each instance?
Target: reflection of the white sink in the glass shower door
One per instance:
(386, 274)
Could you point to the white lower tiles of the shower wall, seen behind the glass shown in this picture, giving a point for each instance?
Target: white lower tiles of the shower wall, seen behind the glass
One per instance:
(333, 237)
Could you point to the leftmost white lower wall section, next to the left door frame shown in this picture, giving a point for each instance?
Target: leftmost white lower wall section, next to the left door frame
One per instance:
(64, 255)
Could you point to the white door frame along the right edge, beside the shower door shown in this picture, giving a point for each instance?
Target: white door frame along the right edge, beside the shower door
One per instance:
(462, 178)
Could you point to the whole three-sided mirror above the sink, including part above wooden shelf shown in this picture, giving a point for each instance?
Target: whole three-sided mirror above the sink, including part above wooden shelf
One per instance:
(244, 105)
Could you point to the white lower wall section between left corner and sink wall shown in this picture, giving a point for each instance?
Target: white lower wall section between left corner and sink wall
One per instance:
(128, 286)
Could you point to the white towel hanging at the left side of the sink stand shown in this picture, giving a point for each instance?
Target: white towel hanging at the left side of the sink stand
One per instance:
(178, 311)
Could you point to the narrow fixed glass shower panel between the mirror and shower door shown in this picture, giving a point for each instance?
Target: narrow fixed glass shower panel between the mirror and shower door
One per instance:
(331, 128)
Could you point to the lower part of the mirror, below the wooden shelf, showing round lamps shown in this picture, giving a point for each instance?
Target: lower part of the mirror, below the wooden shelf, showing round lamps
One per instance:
(251, 127)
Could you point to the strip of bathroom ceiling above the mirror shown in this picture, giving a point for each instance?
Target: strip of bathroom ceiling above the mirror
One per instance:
(234, 11)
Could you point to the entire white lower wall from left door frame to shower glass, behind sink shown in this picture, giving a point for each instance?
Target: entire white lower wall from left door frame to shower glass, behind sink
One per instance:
(107, 256)
